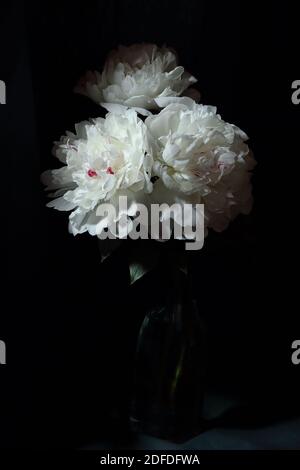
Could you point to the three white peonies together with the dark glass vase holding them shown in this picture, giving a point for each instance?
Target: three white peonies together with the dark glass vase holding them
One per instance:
(156, 151)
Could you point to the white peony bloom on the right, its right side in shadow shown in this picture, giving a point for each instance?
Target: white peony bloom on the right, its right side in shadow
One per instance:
(200, 158)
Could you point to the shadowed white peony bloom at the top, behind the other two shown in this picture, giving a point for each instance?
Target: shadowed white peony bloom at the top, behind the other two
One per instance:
(137, 76)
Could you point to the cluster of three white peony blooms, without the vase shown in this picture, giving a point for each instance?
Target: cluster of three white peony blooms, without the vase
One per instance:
(156, 145)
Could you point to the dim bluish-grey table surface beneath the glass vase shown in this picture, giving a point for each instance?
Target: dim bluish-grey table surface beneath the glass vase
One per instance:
(231, 435)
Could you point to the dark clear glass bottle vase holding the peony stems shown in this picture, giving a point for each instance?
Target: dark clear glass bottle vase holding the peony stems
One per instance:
(170, 365)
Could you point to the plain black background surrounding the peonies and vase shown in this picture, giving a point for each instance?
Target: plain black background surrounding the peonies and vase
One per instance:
(70, 325)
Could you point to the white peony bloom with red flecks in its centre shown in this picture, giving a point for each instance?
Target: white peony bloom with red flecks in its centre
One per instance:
(103, 160)
